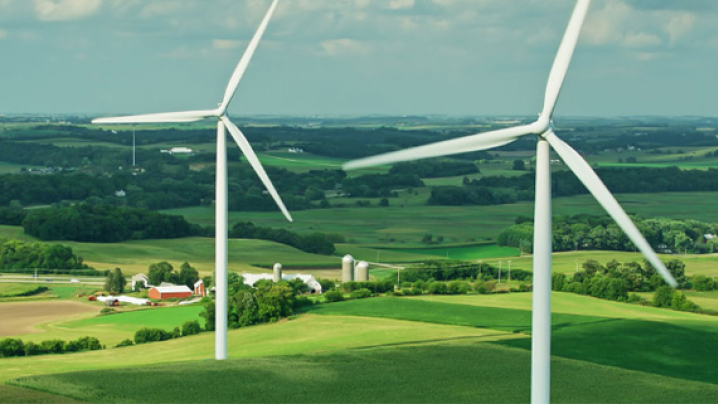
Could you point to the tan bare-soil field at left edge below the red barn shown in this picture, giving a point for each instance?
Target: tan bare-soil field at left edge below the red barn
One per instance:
(22, 317)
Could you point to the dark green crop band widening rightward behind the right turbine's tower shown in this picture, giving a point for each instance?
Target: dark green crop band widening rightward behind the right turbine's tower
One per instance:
(682, 351)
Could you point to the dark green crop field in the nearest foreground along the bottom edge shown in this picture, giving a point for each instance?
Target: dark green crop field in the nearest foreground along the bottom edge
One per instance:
(444, 373)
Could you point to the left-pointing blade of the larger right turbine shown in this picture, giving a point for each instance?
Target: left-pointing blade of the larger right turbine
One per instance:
(479, 141)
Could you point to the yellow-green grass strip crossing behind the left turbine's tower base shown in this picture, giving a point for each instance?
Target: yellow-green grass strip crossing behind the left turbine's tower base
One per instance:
(307, 333)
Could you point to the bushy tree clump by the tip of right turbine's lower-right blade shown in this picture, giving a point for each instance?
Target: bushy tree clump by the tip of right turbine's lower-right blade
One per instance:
(615, 280)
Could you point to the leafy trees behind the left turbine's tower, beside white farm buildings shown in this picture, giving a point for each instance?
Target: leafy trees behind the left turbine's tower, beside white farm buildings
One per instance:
(263, 303)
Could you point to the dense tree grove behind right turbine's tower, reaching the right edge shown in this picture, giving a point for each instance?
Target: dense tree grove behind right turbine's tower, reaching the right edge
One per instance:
(587, 232)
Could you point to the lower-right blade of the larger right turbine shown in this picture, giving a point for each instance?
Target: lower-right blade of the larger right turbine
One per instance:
(588, 177)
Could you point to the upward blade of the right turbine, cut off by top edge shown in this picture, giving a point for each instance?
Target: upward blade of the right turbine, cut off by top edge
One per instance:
(563, 57)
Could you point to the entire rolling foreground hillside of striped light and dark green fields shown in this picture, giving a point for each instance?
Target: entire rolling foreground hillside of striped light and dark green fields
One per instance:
(471, 348)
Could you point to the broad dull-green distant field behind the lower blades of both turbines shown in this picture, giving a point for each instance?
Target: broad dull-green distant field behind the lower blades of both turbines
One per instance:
(409, 224)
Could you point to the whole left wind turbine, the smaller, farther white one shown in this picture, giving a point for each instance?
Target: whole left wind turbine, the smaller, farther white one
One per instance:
(223, 121)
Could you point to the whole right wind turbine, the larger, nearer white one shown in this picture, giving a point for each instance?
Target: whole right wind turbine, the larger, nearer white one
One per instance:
(543, 128)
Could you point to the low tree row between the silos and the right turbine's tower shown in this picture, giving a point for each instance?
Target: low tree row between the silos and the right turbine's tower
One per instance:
(455, 270)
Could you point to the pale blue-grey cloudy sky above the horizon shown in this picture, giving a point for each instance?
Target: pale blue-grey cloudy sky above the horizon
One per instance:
(355, 57)
